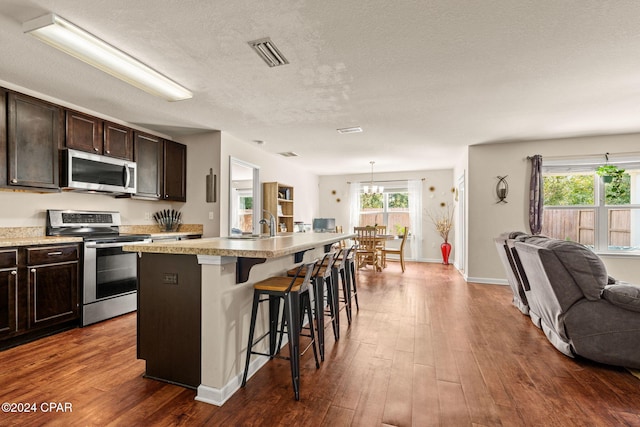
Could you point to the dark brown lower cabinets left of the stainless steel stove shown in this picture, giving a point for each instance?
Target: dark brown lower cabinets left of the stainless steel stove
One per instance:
(39, 291)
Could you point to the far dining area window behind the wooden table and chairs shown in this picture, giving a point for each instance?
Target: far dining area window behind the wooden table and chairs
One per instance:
(390, 209)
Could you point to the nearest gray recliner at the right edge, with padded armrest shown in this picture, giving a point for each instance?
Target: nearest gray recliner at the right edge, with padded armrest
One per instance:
(581, 310)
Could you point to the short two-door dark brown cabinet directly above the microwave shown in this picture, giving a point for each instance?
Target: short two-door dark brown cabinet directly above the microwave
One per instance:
(94, 135)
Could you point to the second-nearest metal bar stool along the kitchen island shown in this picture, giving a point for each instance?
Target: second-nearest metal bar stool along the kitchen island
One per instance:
(323, 276)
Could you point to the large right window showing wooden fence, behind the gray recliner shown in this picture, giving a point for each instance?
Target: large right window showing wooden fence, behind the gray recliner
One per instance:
(597, 211)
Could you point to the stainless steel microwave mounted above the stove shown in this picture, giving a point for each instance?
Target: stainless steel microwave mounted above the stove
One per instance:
(93, 172)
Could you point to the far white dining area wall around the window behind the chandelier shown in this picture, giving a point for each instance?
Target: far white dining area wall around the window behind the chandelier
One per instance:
(441, 180)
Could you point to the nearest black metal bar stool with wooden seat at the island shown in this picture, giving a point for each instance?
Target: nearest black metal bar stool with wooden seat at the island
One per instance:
(294, 291)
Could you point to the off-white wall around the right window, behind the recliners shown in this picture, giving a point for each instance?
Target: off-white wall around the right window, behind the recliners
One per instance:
(486, 219)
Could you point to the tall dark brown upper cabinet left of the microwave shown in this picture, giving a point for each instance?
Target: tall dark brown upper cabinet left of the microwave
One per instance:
(35, 133)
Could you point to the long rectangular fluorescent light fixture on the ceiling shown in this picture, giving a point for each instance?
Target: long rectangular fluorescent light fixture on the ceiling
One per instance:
(84, 46)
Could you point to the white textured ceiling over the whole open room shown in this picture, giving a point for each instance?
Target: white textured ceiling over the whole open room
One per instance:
(424, 79)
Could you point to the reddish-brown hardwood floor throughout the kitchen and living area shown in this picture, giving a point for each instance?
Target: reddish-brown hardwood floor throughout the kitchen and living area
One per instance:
(426, 348)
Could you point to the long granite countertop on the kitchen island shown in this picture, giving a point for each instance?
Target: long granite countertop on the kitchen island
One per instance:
(269, 247)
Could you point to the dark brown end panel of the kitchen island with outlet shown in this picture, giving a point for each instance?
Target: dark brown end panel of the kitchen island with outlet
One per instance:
(169, 317)
